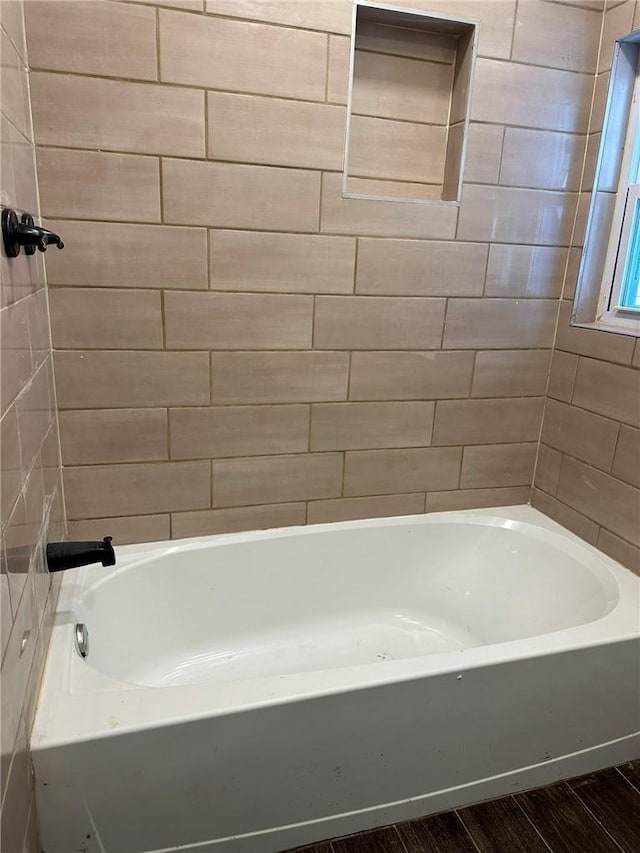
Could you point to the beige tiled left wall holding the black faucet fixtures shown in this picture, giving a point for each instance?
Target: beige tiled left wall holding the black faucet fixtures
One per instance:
(31, 506)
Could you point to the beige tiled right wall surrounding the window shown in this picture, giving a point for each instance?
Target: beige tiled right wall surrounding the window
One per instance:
(588, 471)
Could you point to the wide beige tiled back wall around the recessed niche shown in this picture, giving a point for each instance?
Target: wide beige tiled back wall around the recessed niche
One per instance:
(300, 356)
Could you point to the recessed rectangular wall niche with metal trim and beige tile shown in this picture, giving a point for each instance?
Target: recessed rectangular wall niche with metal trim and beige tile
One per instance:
(408, 109)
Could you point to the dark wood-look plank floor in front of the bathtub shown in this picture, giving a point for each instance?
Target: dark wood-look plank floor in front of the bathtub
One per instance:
(592, 814)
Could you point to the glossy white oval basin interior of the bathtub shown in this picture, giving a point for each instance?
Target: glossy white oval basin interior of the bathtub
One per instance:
(298, 603)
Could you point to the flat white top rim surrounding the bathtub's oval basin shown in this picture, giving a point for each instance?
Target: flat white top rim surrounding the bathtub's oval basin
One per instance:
(78, 702)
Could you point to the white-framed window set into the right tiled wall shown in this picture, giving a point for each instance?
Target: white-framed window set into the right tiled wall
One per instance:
(608, 292)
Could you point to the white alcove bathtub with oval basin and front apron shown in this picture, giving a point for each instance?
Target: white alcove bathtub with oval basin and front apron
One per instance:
(254, 692)
